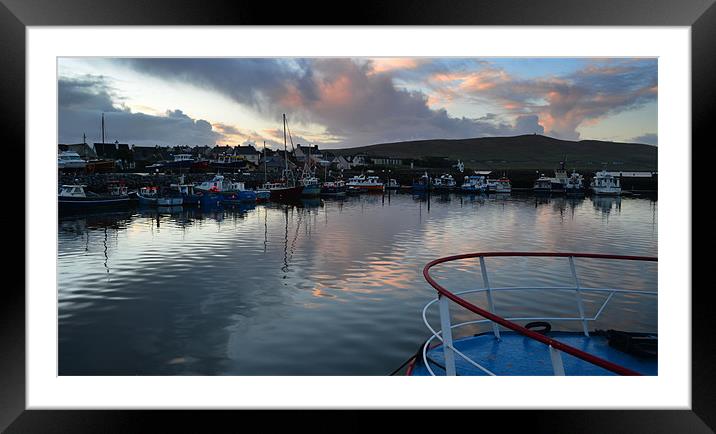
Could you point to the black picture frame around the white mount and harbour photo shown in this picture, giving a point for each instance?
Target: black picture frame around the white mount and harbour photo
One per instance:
(16, 15)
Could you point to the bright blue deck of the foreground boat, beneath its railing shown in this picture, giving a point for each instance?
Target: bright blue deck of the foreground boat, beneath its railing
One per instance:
(515, 354)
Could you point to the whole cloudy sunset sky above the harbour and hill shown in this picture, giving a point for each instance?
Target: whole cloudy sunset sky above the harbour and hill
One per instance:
(345, 102)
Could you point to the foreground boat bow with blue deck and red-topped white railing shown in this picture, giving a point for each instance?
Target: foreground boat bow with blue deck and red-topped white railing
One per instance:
(527, 345)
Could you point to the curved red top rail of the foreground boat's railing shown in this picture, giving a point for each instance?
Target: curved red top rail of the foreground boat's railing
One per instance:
(613, 367)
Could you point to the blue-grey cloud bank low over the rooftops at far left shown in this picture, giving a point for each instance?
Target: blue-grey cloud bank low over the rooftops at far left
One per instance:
(83, 100)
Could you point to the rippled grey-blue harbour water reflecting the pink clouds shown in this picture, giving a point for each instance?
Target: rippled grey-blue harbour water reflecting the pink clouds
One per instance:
(330, 287)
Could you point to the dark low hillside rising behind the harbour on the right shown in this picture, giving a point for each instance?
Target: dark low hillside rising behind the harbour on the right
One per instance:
(521, 152)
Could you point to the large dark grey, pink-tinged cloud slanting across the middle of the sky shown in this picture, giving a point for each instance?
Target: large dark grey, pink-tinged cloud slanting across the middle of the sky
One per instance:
(344, 96)
